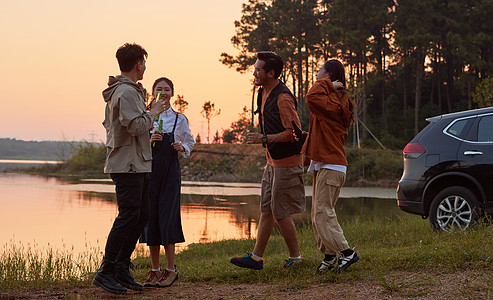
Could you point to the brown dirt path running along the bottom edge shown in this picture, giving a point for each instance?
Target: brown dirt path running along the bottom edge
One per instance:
(467, 284)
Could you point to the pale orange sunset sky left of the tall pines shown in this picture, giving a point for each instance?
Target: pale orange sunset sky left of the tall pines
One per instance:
(56, 56)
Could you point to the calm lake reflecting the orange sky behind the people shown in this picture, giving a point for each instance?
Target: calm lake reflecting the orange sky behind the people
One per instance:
(48, 213)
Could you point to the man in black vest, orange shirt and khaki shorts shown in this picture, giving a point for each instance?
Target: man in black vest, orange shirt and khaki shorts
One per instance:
(283, 193)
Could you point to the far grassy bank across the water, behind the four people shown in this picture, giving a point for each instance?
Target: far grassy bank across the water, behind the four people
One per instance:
(236, 163)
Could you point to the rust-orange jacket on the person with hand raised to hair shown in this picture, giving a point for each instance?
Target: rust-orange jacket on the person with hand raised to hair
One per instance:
(330, 118)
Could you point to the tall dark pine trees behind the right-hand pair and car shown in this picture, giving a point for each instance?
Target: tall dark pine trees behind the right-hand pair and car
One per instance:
(405, 60)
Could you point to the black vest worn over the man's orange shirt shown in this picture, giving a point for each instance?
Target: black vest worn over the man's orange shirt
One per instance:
(272, 123)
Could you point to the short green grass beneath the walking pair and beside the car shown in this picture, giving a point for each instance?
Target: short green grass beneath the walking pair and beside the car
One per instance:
(407, 244)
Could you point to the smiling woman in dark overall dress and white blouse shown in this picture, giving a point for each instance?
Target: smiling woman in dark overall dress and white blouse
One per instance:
(169, 137)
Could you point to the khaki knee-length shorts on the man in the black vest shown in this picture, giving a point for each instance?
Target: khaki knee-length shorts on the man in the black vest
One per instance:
(283, 192)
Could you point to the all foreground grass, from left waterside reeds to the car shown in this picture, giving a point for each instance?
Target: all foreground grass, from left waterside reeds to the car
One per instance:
(404, 245)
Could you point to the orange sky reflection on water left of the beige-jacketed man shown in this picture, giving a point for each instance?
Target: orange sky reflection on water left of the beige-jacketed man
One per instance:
(34, 213)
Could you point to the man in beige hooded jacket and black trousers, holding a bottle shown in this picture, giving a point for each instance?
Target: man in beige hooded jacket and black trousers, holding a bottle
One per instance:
(128, 161)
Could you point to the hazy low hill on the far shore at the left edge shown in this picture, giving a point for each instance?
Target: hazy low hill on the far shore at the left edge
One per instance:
(46, 150)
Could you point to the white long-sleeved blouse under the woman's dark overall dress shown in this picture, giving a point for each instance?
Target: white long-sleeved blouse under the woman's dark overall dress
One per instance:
(182, 130)
